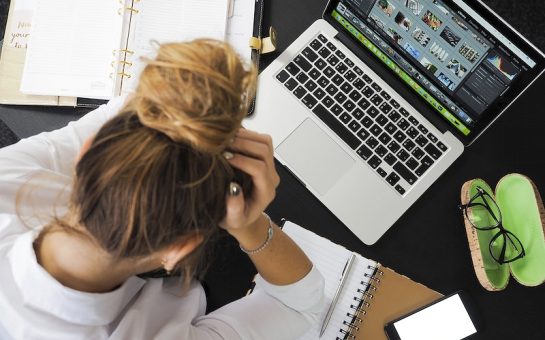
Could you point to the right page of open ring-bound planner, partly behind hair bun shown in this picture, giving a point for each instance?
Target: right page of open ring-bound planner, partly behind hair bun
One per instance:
(172, 21)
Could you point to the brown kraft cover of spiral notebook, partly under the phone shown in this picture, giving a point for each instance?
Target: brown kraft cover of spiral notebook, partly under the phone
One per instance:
(395, 296)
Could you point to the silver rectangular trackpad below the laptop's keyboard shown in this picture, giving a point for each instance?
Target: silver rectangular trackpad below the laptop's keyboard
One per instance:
(314, 156)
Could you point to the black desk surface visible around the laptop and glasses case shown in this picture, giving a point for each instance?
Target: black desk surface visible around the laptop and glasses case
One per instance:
(428, 243)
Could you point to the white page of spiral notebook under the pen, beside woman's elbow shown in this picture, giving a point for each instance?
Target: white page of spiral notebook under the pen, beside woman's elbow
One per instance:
(330, 259)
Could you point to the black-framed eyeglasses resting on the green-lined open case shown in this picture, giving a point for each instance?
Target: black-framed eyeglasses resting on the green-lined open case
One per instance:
(483, 213)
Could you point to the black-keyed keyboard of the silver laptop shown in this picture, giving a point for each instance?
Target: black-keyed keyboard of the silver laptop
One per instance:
(384, 134)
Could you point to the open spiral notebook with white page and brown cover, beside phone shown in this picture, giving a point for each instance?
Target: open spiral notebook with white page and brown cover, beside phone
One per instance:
(372, 295)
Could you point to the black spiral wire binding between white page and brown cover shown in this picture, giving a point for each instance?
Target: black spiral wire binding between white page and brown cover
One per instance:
(361, 303)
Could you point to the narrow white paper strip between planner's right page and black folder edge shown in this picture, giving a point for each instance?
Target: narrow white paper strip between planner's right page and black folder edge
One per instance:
(240, 27)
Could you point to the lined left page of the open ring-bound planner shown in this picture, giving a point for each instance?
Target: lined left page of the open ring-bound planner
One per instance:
(70, 49)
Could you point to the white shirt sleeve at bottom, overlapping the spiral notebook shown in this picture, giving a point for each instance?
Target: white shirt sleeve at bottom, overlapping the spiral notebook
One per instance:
(270, 312)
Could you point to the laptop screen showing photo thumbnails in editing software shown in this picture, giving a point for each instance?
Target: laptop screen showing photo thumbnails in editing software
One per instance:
(454, 59)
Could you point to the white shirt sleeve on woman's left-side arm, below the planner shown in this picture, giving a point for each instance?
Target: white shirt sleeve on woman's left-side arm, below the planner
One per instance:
(42, 165)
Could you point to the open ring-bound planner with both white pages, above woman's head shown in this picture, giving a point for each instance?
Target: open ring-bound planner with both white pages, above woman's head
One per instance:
(96, 48)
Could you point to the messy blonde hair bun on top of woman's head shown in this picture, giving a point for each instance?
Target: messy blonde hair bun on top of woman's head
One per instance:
(196, 93)
